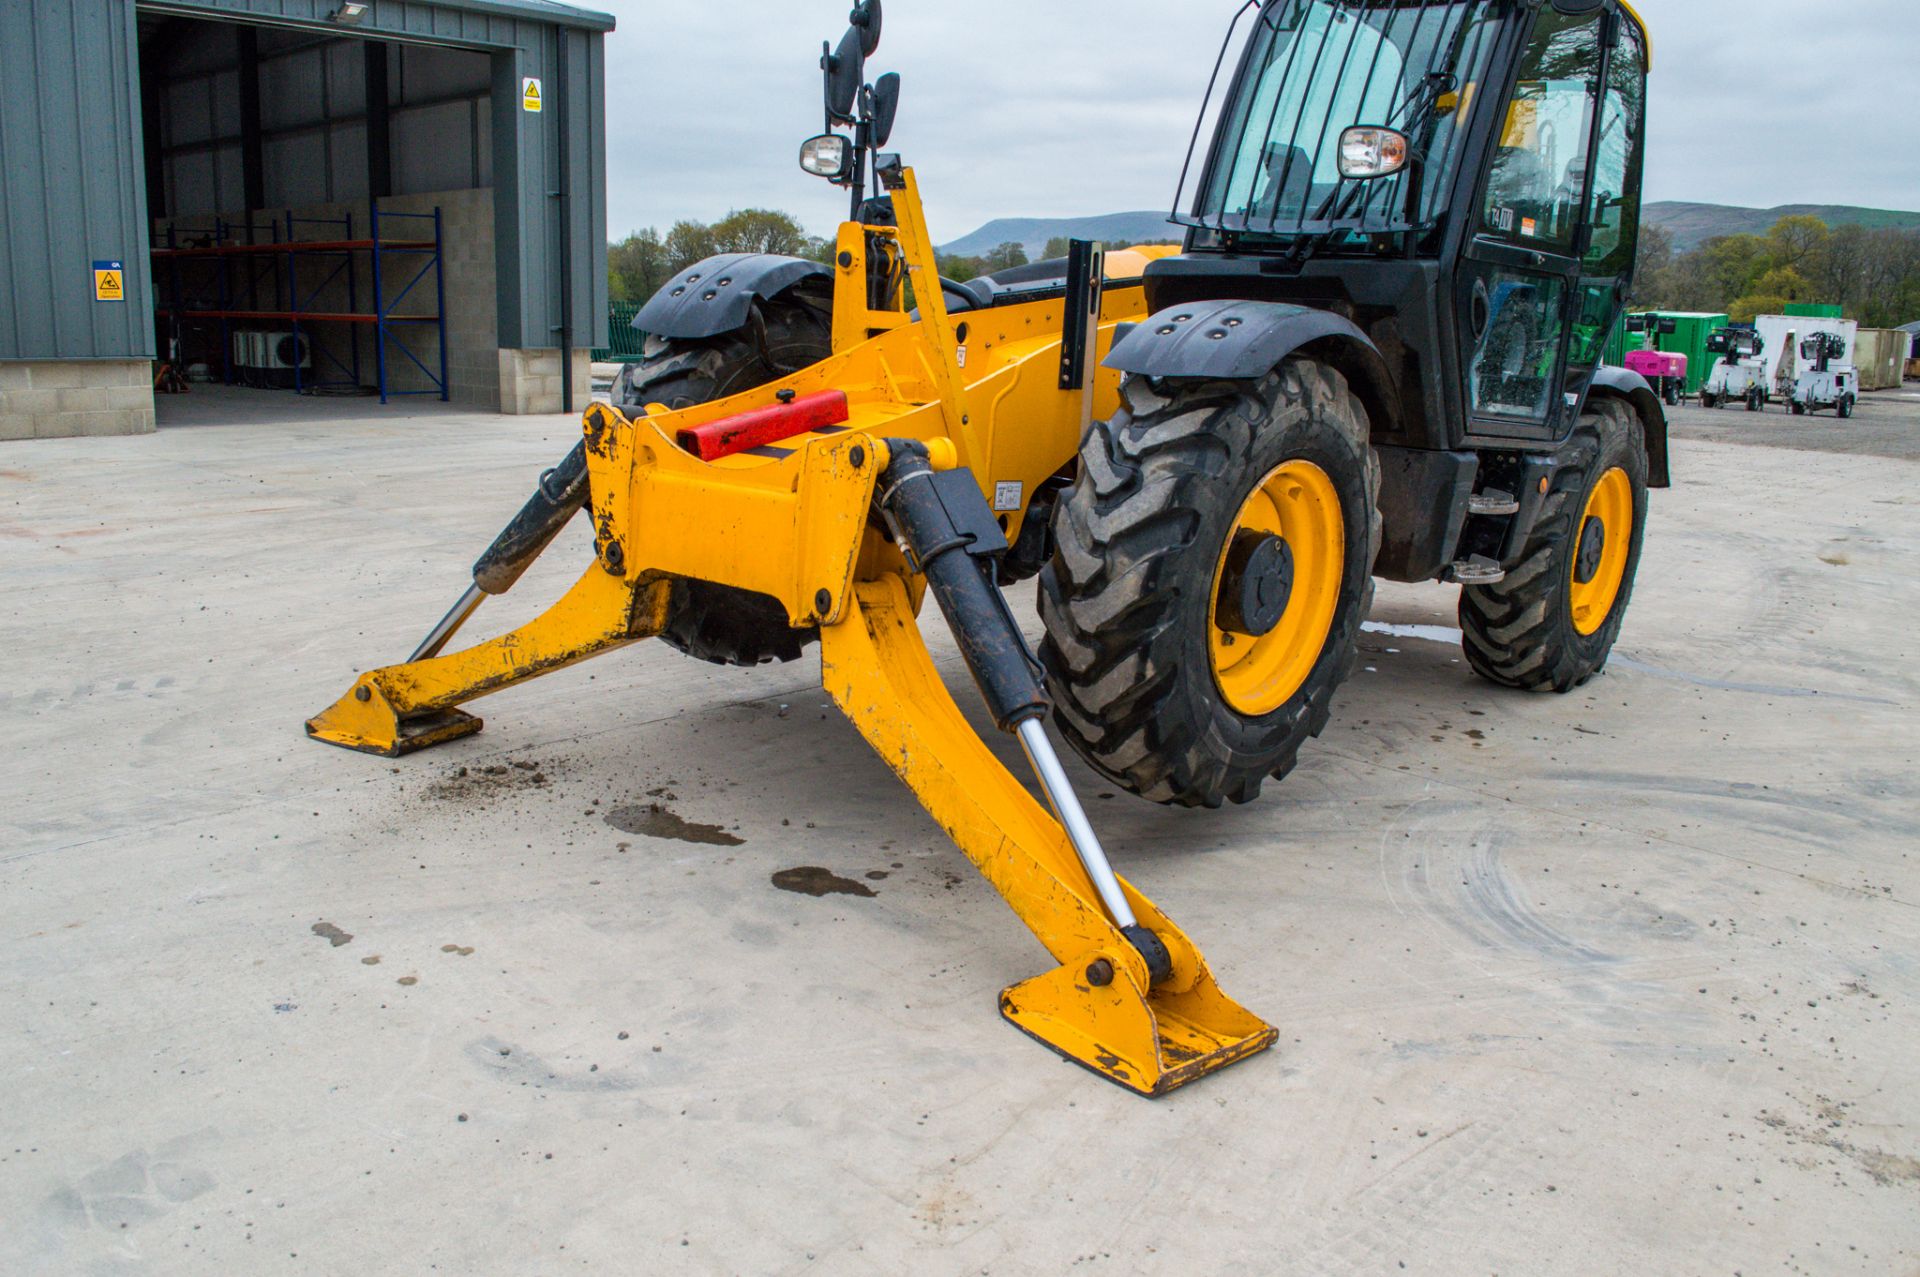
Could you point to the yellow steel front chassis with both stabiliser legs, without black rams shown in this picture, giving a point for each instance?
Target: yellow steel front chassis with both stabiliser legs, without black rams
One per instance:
(982, 395)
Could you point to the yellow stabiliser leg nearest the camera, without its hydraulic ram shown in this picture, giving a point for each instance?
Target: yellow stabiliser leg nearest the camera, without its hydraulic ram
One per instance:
(1099, 1007)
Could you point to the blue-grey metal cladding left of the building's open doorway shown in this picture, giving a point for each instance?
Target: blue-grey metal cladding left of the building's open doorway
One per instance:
(70, 143)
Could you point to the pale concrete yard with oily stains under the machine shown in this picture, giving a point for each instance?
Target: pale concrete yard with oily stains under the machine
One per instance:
(1621, 982)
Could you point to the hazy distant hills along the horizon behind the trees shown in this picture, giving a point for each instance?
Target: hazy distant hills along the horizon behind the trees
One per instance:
(1691, 224)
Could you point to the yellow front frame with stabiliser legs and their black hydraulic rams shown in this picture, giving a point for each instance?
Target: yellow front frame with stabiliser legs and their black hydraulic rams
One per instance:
(848, 527)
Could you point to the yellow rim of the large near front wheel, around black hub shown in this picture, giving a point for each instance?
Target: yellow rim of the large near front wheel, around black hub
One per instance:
(1297, 502)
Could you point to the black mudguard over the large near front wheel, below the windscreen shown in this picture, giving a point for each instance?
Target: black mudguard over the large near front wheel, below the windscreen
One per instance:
(1245, 341)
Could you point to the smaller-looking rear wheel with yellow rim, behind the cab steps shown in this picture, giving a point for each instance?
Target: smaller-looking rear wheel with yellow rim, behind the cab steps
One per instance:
(1552, 623)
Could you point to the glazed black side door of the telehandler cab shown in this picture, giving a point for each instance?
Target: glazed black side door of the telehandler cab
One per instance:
(1520, 285)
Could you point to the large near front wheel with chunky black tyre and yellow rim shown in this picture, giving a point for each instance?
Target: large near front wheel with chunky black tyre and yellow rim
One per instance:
(1212, 569)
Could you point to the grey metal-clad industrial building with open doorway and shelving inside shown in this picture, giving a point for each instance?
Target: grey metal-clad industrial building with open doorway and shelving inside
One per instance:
(391, 199)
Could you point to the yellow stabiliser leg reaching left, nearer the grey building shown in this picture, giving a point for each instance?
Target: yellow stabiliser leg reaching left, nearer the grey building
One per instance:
(408, 708)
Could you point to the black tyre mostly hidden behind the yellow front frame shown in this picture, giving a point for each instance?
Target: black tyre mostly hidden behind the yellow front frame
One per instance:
(708, 621)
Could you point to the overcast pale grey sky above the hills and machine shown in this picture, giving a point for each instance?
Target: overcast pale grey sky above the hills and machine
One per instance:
(1053, 108)
